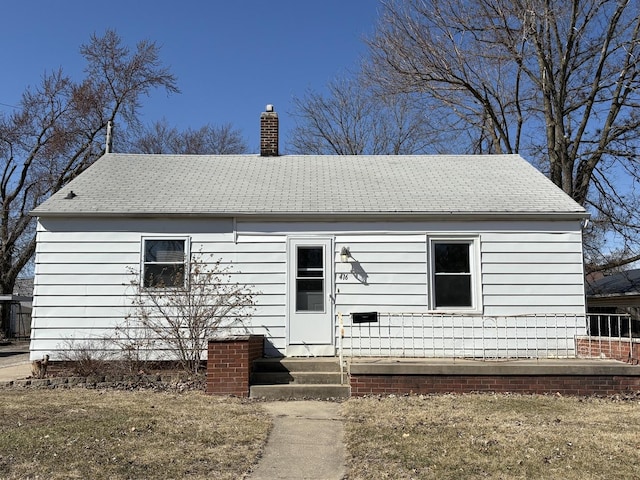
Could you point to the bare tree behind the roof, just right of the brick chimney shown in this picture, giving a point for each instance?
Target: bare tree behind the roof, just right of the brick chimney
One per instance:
(353, 119)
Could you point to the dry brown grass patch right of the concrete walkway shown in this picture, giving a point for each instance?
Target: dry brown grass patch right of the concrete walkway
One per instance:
(492, 436)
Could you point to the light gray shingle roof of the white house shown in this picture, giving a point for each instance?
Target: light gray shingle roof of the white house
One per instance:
(287, 185)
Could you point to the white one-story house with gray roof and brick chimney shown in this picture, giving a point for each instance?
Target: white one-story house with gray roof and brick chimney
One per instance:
(475, 254)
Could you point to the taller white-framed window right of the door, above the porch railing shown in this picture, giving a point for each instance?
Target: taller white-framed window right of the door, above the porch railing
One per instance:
(454, 275)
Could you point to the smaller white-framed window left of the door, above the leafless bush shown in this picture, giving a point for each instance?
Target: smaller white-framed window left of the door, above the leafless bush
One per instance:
(164, 262)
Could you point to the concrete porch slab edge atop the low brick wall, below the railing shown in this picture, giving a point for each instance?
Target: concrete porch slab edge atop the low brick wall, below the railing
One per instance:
(508, 367)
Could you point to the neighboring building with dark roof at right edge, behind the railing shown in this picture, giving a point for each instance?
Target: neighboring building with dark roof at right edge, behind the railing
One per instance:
(613, 301)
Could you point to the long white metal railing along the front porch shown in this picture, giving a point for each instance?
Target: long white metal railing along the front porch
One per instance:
(429, 335)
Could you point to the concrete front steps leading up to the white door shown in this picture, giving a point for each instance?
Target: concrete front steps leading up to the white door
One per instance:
(287, 378)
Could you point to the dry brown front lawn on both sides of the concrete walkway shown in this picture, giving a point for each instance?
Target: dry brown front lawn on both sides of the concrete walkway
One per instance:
(100, 434)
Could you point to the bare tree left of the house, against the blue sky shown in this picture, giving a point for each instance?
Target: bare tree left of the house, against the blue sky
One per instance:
(57, 131)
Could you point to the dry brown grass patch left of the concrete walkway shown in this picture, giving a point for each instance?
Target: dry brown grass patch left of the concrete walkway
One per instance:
(103, 434)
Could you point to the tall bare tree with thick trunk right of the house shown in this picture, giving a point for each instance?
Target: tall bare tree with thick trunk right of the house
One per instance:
(557, 81)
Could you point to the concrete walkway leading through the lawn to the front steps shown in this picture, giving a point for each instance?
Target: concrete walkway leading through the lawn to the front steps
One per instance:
(307, 442)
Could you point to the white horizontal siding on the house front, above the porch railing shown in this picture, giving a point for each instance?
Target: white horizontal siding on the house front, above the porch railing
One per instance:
(83, 281)
